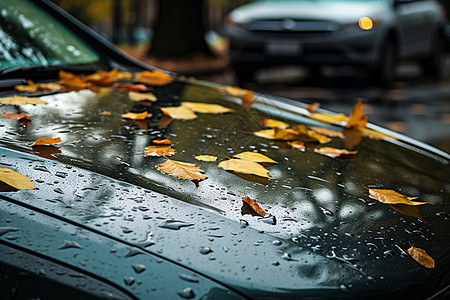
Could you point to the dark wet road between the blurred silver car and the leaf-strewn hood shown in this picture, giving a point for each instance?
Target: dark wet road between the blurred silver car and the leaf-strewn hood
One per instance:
(416, 106)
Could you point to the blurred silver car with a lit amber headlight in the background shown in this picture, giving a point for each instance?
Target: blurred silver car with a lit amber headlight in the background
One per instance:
(374, 34)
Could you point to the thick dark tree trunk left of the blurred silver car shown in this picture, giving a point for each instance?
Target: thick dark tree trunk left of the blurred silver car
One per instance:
(179, 29)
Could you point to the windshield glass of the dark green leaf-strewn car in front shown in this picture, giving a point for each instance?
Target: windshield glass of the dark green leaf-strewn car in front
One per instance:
(31, 37)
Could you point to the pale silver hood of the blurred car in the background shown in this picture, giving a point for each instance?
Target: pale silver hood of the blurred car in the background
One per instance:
(335, 11)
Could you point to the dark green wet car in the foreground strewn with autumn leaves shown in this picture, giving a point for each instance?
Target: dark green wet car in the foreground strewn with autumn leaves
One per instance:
(107, 219)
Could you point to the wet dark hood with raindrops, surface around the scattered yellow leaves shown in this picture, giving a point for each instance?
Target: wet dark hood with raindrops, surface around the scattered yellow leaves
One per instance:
(324, 238)
